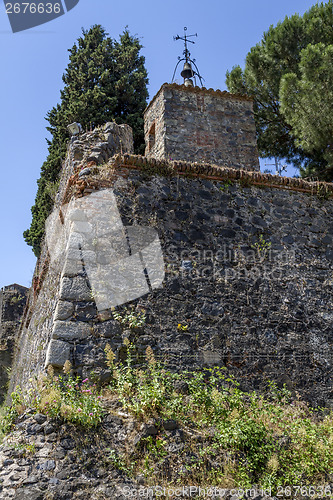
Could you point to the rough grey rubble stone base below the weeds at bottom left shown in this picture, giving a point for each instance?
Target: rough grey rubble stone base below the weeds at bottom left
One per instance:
(44, 459)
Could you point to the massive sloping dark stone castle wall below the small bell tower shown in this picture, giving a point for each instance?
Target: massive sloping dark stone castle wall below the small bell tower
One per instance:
(248, 276)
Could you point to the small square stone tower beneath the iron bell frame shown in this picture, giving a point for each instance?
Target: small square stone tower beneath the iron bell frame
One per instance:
(199, 125)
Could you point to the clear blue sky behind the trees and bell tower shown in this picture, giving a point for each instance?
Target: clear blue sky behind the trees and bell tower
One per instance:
(33, 61)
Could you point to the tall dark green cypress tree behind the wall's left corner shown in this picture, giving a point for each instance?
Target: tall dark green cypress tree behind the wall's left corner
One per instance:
(105, 80)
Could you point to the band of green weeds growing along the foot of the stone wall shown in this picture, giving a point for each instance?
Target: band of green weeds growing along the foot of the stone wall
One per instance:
(217, 435)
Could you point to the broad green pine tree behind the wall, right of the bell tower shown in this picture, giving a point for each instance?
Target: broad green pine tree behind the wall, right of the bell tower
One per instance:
(281, 53)
